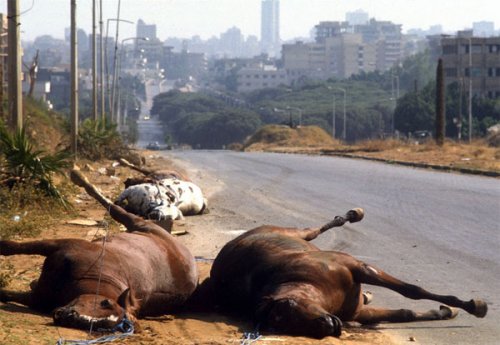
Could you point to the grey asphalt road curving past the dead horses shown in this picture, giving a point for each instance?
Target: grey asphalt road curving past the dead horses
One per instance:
(437, 230)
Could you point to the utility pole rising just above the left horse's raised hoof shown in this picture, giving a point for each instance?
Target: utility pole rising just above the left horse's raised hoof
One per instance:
(74, 80)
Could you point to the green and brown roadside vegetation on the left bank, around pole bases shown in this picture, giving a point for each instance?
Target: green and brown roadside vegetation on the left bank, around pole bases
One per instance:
(34, 189)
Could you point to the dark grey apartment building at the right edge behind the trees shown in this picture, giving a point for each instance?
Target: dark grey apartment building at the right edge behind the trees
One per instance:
(469, 58)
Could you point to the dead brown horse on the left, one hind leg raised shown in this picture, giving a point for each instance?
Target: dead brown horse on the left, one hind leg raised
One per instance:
(142, 272)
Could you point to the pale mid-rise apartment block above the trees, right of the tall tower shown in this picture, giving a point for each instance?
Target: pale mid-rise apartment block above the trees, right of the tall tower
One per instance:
(341, 49)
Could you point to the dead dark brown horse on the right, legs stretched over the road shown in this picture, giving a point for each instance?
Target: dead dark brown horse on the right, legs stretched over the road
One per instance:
(287, 285)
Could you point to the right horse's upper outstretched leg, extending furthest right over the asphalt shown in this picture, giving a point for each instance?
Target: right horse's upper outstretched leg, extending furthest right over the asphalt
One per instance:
(366, 274)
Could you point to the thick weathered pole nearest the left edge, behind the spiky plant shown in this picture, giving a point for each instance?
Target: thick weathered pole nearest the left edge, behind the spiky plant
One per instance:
(15, 91)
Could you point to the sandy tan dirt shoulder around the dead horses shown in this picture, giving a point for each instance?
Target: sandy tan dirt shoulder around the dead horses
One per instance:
(19, 325)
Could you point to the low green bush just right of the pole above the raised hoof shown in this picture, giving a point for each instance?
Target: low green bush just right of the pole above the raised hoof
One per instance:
(98, 139)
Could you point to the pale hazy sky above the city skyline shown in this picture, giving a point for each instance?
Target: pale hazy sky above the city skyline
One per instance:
(185, 18)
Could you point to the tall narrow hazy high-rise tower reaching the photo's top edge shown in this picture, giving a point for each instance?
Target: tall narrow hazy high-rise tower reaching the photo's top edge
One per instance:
(270, 27)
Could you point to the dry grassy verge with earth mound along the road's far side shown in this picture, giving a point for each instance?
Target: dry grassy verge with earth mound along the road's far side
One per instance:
(481, 154)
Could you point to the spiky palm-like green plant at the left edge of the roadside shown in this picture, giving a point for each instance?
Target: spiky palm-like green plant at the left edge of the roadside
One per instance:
(23, 164)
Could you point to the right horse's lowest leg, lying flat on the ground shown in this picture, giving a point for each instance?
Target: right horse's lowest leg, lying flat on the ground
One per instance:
(375, 315)
